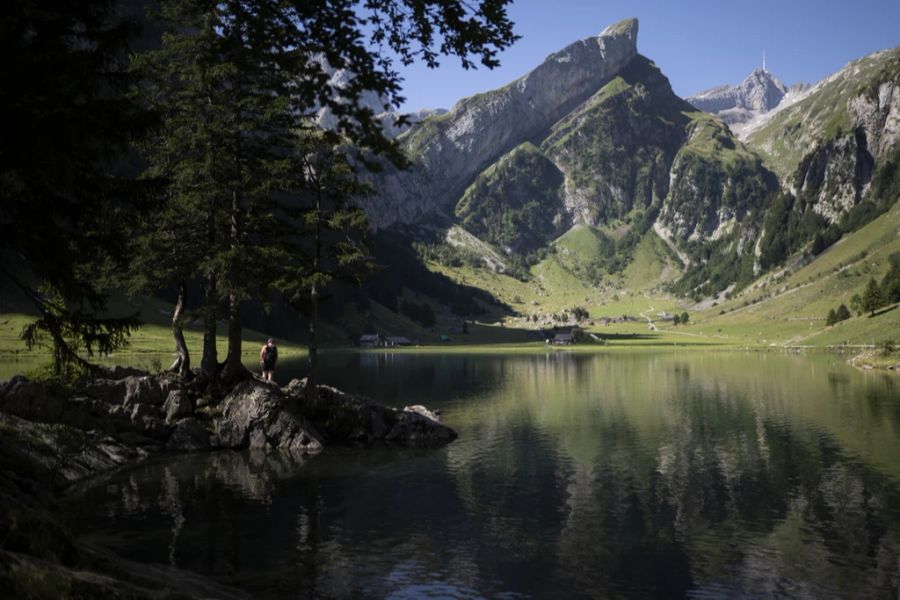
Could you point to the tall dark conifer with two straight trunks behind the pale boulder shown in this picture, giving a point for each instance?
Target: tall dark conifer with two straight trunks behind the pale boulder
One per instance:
(221, 84)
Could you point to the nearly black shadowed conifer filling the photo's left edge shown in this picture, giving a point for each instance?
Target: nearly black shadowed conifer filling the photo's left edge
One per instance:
(67, 122)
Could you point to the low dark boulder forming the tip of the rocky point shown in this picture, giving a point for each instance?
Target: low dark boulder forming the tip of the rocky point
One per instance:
(348, 419)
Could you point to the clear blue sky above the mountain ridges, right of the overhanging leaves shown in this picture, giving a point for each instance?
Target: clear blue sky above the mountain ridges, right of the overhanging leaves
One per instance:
(698, 44)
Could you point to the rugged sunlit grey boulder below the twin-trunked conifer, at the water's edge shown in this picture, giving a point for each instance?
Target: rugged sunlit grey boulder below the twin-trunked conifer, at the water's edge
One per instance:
(256, 415)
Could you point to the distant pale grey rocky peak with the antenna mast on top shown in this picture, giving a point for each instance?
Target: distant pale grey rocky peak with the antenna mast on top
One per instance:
(759, 93)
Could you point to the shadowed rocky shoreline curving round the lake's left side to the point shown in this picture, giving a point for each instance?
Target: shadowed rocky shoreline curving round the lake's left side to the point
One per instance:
(51, 438)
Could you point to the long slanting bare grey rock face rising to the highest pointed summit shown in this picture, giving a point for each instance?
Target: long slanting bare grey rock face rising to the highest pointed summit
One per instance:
(452, 149)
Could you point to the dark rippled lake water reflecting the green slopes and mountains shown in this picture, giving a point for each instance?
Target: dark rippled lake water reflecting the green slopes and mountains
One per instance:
(575, 476)
